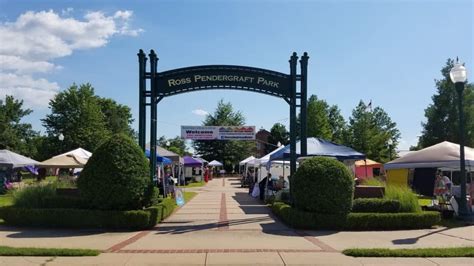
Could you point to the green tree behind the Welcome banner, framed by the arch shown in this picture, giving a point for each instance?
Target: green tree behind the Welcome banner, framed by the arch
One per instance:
(229, 152)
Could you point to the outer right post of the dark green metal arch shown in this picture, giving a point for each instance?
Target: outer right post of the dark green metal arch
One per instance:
(303, 103)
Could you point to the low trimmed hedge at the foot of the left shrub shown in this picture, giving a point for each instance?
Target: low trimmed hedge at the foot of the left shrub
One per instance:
(83, 218)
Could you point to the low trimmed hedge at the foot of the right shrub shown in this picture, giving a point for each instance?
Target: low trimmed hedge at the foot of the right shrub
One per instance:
(355, 221)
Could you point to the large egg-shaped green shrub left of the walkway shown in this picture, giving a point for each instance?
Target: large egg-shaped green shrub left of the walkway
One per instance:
(116, 177)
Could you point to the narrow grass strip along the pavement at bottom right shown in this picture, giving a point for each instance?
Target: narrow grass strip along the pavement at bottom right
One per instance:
(416, 252)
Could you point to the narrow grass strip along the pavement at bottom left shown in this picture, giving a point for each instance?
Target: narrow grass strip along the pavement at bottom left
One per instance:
(47, 252)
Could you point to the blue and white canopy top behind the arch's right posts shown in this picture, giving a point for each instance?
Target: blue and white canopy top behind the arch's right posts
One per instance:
(320, 147)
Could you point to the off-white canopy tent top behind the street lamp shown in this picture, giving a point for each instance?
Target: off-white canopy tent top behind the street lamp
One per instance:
(444, 155)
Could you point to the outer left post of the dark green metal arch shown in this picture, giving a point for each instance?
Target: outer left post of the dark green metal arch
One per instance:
(142, 99)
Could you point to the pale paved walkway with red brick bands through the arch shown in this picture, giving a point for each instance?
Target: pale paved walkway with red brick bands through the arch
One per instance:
(223, 225)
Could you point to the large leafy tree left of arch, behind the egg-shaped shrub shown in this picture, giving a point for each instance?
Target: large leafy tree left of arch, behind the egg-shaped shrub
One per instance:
(84, 119)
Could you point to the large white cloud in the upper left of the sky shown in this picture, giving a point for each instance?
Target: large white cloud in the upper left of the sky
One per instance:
(28, 45)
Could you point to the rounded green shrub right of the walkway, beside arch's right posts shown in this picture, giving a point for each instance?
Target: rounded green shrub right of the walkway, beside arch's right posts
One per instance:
(323, 185)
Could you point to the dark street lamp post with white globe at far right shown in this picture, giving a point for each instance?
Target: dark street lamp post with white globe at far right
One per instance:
(458, 76)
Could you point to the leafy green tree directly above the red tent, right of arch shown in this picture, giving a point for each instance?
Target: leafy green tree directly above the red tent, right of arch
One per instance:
(369, 132)
